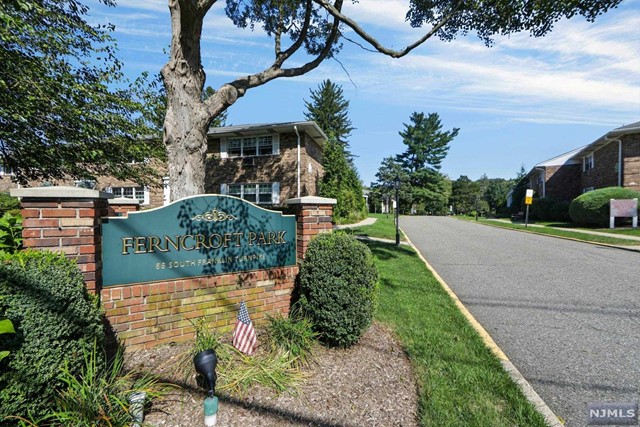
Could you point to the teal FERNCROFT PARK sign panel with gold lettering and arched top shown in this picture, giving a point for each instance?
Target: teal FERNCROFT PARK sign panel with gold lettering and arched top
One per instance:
(196, 236)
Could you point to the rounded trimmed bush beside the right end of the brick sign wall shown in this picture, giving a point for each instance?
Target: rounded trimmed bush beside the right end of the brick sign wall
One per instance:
(338, 284)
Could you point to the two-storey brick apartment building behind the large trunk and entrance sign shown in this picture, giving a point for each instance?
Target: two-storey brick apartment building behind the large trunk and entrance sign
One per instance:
(262, 163)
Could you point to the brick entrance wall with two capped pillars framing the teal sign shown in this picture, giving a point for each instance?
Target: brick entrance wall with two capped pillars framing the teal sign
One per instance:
(143, 315)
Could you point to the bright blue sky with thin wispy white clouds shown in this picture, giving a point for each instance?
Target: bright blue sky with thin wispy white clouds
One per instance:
(520, 102)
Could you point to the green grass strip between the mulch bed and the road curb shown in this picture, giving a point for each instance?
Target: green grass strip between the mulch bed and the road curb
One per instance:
(460, 382)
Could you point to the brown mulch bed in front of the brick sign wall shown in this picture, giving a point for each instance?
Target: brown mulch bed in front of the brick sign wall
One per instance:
(370, 384)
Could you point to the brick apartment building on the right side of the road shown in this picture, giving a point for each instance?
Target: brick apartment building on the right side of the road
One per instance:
(611, 160)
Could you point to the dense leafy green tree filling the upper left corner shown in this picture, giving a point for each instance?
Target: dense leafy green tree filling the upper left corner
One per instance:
(60, 115)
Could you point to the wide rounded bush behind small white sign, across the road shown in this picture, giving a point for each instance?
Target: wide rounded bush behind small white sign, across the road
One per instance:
(592, 208)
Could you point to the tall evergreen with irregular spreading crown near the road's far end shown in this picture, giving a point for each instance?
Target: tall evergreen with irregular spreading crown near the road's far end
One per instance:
(427, 146)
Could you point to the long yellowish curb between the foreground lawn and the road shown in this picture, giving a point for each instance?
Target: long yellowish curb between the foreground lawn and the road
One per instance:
(533, 397)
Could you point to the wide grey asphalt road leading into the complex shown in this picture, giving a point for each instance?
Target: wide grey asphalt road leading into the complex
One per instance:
(567, 314)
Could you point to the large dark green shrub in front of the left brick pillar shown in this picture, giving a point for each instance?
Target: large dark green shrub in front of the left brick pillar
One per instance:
(56, 323)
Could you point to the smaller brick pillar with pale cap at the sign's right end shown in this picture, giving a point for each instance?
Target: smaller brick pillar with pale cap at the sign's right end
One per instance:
(313, 216)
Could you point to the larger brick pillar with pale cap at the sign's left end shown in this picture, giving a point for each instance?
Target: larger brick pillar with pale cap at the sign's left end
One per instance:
(66, 219)
